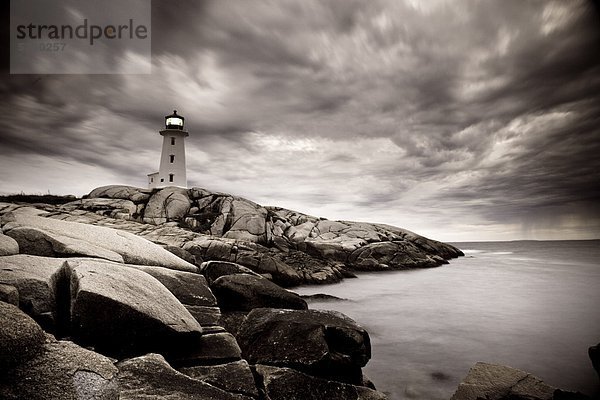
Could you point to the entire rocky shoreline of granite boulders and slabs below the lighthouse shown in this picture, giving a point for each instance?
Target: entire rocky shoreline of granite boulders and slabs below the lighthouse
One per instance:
(179, 293)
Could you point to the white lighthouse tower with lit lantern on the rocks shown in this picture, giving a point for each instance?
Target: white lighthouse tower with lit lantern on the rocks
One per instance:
(171, 171)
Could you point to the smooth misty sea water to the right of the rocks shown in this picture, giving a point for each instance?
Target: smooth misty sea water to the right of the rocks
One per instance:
(529, 305)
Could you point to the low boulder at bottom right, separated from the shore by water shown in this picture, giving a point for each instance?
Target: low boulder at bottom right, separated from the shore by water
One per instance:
(491, 381)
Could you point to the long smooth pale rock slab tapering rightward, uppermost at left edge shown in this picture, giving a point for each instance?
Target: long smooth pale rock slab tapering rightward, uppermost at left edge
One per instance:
(42, 236)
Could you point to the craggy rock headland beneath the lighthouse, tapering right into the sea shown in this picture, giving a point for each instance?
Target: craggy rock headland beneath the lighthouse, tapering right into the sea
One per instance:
(302, 248)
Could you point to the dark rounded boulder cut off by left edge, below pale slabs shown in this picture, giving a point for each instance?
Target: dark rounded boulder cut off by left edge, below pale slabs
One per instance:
(21, 337)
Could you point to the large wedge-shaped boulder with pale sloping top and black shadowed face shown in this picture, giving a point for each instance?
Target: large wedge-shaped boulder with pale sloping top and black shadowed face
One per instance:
(123, 311)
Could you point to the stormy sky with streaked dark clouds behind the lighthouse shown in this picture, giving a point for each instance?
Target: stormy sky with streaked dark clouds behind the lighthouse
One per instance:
(459, 120)
